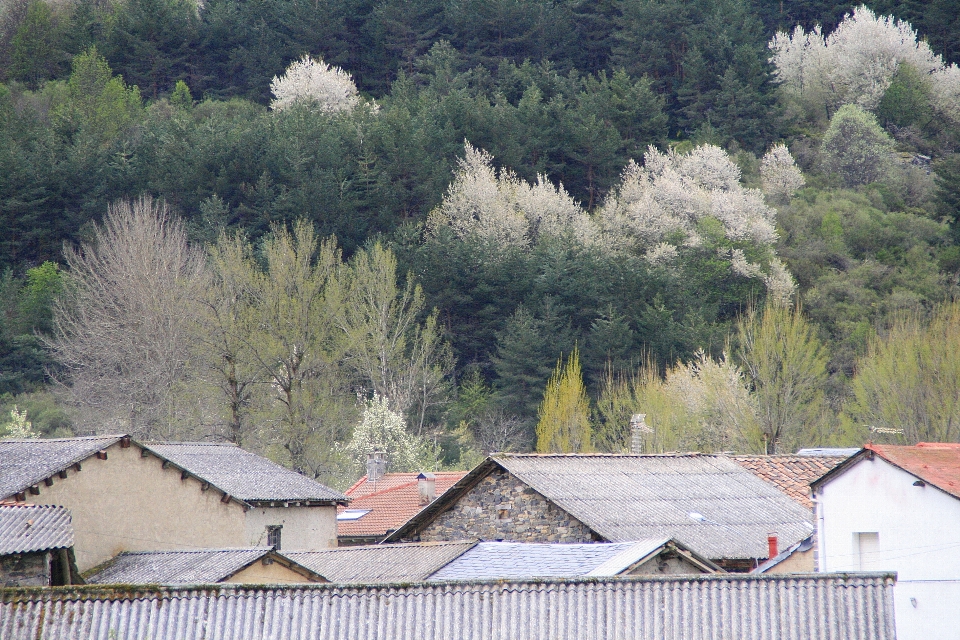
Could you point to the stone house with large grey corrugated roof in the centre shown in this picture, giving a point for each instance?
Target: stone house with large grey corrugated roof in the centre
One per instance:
(709, 503)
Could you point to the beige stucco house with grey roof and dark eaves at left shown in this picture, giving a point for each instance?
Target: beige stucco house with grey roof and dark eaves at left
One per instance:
(130, 496)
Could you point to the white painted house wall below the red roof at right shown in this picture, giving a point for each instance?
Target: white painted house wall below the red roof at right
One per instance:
(872, 517)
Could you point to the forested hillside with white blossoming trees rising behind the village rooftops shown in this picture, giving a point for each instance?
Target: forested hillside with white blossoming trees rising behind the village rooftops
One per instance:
(316, 227)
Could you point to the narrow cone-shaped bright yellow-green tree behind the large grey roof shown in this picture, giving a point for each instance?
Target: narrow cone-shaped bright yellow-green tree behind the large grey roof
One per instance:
(564, 425)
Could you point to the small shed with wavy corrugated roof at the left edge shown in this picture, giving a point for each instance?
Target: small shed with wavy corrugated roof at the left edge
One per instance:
(36, 546)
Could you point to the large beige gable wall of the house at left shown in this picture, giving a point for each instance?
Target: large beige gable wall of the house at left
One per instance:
(130, 503)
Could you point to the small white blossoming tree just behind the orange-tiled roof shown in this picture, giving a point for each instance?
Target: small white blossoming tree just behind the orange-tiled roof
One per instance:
(383, 429)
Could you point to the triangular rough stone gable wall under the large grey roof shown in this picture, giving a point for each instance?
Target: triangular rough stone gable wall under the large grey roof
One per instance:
(502, 507)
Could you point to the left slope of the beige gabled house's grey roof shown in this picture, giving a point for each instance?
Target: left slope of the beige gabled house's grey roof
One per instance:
(25, 463)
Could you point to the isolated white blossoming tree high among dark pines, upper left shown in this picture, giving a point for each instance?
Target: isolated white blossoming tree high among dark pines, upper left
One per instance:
(329, 89)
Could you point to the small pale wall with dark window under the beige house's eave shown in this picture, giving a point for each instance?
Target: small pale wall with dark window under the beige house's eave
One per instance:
(304, 528)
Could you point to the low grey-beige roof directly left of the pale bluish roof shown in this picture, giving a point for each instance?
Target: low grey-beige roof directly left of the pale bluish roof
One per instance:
(380, 563)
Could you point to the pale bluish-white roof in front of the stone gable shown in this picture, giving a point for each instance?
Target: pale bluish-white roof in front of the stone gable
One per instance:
(523, 560)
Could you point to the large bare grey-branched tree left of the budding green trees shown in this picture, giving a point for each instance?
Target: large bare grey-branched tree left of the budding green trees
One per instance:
(122, 329)
